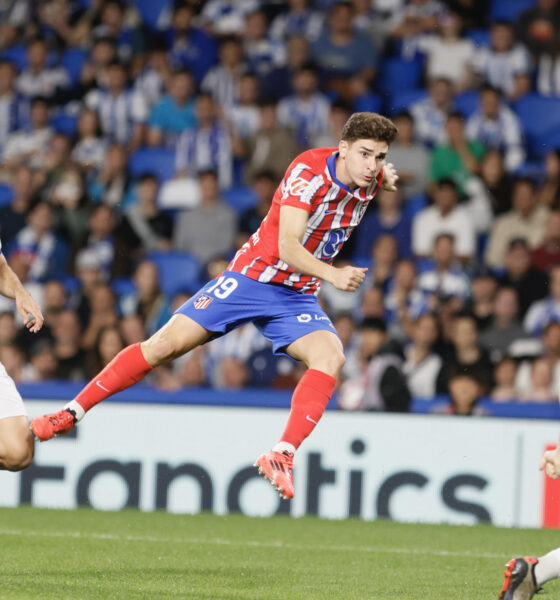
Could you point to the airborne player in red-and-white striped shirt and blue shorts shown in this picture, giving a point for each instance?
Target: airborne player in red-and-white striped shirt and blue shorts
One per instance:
(273, 281)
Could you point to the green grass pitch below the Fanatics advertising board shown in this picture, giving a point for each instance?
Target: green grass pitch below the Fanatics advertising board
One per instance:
(86, 554)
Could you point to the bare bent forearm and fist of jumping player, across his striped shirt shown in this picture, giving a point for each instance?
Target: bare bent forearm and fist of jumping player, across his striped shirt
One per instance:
(293, 222)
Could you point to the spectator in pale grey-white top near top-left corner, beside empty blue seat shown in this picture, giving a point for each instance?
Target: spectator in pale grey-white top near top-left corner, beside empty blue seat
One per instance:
(38, 79)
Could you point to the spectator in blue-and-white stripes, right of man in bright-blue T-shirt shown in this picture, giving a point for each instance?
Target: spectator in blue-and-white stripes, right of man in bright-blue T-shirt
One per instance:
(207, 147)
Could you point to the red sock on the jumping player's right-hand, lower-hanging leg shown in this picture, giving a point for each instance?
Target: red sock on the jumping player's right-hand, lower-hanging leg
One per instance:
(311, 396)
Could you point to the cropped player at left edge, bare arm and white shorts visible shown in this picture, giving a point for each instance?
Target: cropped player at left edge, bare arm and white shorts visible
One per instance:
(16, 440)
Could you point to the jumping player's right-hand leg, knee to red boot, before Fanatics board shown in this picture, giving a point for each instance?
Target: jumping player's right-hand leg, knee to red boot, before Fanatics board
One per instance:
(322, 353)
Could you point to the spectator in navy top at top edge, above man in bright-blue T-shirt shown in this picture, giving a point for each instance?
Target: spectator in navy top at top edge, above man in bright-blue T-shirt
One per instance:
(189, 47)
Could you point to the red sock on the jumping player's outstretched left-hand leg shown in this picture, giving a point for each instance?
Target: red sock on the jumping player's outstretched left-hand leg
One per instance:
(128, 367)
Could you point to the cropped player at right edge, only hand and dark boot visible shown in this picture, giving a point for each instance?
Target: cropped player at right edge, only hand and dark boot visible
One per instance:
(524, 576)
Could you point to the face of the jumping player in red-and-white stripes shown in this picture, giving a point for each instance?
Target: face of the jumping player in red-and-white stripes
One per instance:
(361, 161)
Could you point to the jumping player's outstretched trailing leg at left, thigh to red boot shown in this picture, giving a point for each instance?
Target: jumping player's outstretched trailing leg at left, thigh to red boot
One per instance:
(178, 336)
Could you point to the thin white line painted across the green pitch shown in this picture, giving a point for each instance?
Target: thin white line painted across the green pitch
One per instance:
(255, 544)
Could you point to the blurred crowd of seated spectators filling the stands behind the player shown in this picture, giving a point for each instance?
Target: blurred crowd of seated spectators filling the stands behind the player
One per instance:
(142, 143)
